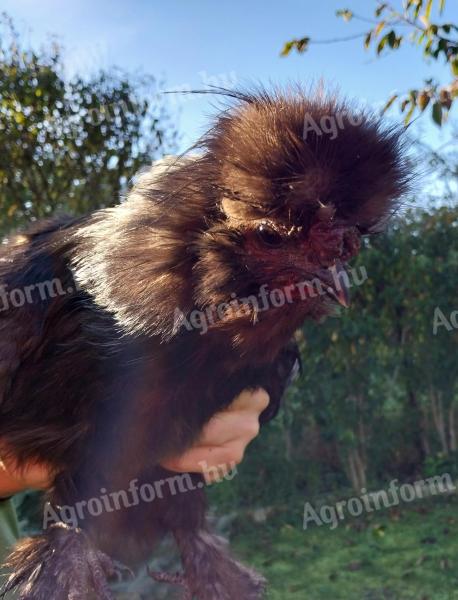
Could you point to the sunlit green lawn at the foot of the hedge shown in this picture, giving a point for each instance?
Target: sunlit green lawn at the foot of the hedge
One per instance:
(409, 553)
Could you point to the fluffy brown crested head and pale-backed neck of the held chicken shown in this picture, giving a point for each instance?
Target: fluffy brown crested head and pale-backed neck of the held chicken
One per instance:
(283, 189)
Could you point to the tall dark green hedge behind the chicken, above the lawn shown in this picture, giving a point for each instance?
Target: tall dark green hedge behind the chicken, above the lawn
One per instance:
(379, 394)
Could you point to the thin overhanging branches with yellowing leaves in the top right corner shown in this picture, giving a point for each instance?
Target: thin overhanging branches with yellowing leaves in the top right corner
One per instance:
(390, 29)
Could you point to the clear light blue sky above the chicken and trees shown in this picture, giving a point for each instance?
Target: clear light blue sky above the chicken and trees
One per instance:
(188, 44)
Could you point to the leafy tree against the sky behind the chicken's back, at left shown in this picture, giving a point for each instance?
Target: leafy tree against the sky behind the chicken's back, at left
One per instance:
(68, 145)
